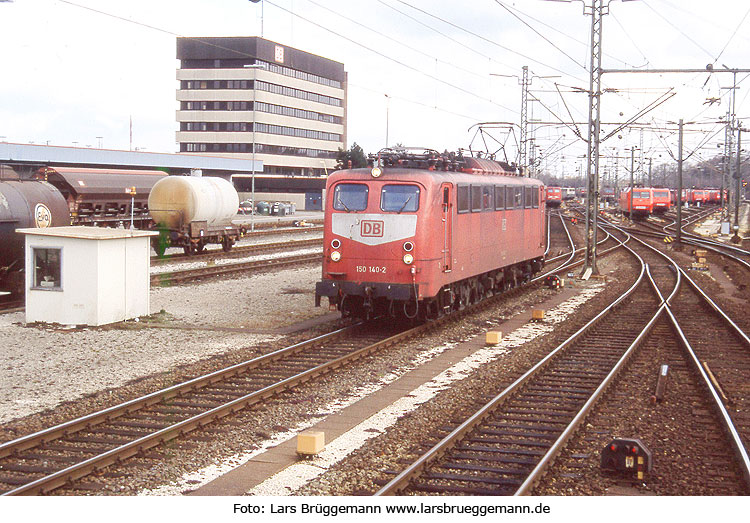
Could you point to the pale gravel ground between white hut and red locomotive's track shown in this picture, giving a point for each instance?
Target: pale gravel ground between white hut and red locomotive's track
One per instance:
(44, 366)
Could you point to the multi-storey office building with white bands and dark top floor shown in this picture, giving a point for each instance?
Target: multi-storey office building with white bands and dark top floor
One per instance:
(251, 98)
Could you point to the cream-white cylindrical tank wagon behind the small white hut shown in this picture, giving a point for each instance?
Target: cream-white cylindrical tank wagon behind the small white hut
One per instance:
(193, 211)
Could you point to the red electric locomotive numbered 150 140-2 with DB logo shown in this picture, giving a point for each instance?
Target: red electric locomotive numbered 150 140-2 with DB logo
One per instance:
(421, 235)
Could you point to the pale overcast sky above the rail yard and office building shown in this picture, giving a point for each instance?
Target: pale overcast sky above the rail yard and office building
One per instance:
(75, 76)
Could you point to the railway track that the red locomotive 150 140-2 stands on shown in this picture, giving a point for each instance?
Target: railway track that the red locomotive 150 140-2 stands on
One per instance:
(66, 455)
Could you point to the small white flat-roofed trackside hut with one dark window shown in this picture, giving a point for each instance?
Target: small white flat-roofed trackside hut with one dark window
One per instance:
(86, 275)
